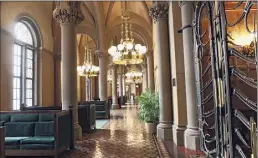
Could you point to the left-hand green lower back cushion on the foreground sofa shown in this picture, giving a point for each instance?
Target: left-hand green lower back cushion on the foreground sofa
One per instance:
(19, 129)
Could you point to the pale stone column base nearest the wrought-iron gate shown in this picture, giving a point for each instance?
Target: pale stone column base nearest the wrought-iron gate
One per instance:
(192, 139)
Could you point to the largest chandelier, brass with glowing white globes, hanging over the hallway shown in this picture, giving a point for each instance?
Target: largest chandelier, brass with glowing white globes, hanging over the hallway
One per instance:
(127, 52)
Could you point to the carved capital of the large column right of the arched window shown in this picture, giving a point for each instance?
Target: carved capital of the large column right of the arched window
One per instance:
(68, 12)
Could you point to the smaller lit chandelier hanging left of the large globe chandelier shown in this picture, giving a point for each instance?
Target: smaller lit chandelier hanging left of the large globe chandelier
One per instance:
(88, 69)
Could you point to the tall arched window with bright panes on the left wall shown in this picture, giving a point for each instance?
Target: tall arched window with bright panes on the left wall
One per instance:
(24, 63)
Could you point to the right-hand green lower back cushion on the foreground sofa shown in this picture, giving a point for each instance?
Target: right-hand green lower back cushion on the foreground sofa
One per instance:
(44, 128)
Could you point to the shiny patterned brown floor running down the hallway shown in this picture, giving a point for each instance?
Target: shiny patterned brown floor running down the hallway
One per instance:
(123, 136)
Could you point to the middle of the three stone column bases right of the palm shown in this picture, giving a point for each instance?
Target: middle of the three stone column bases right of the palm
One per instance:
(178, 134)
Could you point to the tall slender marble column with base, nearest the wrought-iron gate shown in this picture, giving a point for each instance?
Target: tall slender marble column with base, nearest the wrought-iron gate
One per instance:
(192, 135)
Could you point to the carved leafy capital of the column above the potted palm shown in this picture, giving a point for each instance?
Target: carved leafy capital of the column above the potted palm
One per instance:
(159, 10)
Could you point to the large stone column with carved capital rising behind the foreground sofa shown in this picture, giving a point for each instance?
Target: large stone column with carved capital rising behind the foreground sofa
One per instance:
(69, 15)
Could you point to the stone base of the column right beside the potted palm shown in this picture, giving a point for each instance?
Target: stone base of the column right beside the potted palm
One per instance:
(164, 131)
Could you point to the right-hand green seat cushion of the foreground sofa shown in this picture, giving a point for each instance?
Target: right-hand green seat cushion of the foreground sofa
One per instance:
(38, 140)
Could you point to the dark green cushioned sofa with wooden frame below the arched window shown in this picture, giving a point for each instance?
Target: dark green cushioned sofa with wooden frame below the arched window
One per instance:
(37, 133)
